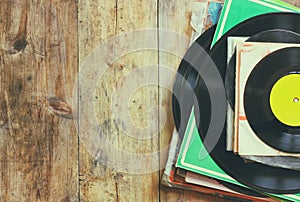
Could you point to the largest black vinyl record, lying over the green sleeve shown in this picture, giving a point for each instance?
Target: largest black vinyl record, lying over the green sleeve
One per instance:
(257, 176)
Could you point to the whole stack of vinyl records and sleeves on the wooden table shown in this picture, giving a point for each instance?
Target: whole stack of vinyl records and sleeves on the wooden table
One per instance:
(236, 104)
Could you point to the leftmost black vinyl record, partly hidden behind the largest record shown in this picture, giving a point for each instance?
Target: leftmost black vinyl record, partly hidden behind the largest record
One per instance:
(184, 84)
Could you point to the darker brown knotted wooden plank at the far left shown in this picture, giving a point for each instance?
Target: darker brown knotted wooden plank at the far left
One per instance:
(38, 65)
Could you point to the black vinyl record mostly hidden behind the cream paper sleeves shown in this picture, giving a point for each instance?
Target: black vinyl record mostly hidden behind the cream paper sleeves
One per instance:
(271, 36)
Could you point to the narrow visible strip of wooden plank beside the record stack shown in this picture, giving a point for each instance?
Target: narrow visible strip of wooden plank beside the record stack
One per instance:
(174, 17)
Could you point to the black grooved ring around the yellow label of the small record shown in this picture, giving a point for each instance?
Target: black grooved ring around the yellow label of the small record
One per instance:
(256, 99)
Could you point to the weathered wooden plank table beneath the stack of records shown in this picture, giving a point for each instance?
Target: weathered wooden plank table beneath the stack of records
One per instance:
(43, 45)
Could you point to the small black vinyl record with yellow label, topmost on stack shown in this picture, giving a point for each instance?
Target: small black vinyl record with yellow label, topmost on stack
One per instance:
(271, 100)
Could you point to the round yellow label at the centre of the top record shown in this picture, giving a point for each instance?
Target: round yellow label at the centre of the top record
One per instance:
(285, 100)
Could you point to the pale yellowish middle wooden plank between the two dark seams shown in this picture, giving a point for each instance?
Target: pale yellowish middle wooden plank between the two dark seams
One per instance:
(98, 22)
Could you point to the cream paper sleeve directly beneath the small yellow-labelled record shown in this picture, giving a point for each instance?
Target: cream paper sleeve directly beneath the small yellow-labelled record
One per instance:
(248, 55)
